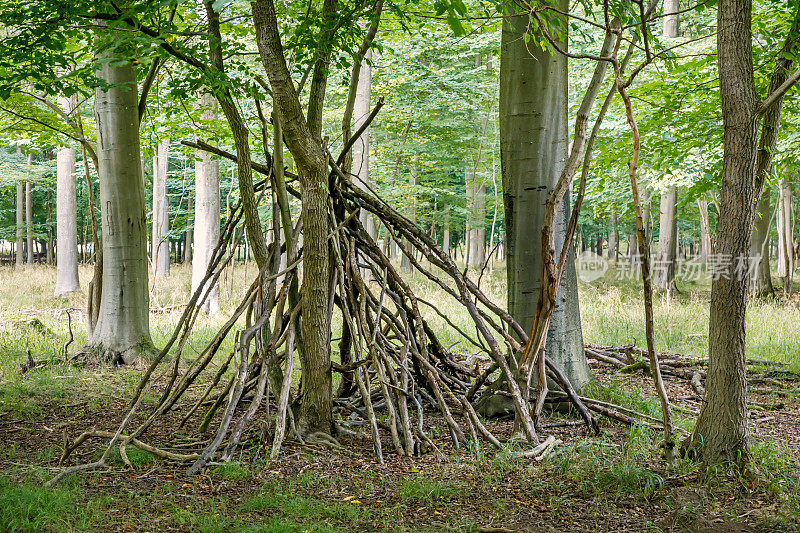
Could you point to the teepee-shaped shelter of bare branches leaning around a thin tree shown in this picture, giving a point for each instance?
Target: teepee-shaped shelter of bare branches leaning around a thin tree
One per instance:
(391, 357)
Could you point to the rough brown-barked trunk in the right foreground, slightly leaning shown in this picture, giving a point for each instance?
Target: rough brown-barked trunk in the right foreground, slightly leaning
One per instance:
(721, 432)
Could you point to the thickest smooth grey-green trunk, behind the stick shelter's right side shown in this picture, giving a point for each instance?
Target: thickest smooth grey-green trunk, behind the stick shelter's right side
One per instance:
(533, 146)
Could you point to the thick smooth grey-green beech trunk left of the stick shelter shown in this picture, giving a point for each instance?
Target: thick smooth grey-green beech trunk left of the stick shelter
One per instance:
(122, 332)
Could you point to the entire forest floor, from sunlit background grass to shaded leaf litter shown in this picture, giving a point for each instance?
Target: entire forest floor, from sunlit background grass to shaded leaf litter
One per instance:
(612, 482)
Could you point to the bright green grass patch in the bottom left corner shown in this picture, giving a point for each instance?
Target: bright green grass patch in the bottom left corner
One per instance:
(35, 508)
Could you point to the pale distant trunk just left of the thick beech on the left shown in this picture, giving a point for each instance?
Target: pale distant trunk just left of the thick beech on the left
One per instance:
(66, 215)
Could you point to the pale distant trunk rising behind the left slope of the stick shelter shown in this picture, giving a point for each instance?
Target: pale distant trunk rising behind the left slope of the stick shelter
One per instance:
(206, 214)
